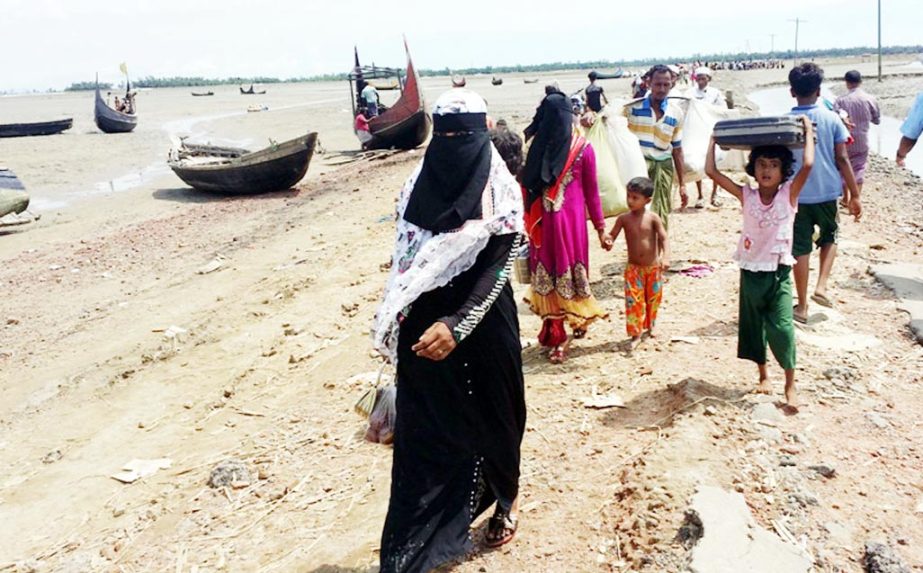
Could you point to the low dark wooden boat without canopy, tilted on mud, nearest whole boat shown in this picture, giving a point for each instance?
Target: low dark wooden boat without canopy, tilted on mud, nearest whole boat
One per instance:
(239, 172)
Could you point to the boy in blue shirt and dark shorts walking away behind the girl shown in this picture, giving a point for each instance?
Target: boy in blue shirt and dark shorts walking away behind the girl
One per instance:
(817, 204)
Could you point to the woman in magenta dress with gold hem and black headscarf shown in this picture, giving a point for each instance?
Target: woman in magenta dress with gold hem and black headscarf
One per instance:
(560, 188)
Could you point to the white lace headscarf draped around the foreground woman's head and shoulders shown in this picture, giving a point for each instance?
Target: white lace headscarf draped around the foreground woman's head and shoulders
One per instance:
(423, 261)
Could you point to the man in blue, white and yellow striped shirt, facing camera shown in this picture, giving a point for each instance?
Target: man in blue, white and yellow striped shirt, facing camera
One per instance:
(657, 122)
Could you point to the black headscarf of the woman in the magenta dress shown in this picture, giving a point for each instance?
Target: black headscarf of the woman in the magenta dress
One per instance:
(552, 127)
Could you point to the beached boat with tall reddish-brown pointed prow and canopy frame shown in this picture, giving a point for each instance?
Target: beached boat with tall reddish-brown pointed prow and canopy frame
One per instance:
(403, 125)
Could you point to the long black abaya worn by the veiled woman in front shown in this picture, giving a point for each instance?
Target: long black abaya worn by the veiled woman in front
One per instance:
(460, 421)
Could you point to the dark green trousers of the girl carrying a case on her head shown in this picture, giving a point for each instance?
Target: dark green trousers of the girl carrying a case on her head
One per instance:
(766, 316)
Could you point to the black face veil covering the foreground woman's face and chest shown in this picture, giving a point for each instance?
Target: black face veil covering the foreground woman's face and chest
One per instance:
(455, 170)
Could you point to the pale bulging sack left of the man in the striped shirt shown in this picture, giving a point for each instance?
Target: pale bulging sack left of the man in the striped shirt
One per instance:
(618, 157)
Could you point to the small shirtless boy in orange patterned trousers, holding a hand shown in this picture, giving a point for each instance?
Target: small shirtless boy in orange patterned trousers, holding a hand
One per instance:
(648, 257)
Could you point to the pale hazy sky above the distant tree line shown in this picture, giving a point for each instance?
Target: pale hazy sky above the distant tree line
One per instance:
(52, 43)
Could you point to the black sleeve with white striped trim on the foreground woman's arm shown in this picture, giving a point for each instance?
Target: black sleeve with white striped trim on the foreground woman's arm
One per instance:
(499, 255)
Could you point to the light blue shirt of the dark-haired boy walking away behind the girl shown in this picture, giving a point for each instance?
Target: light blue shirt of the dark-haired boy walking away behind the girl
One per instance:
(824, 183)
